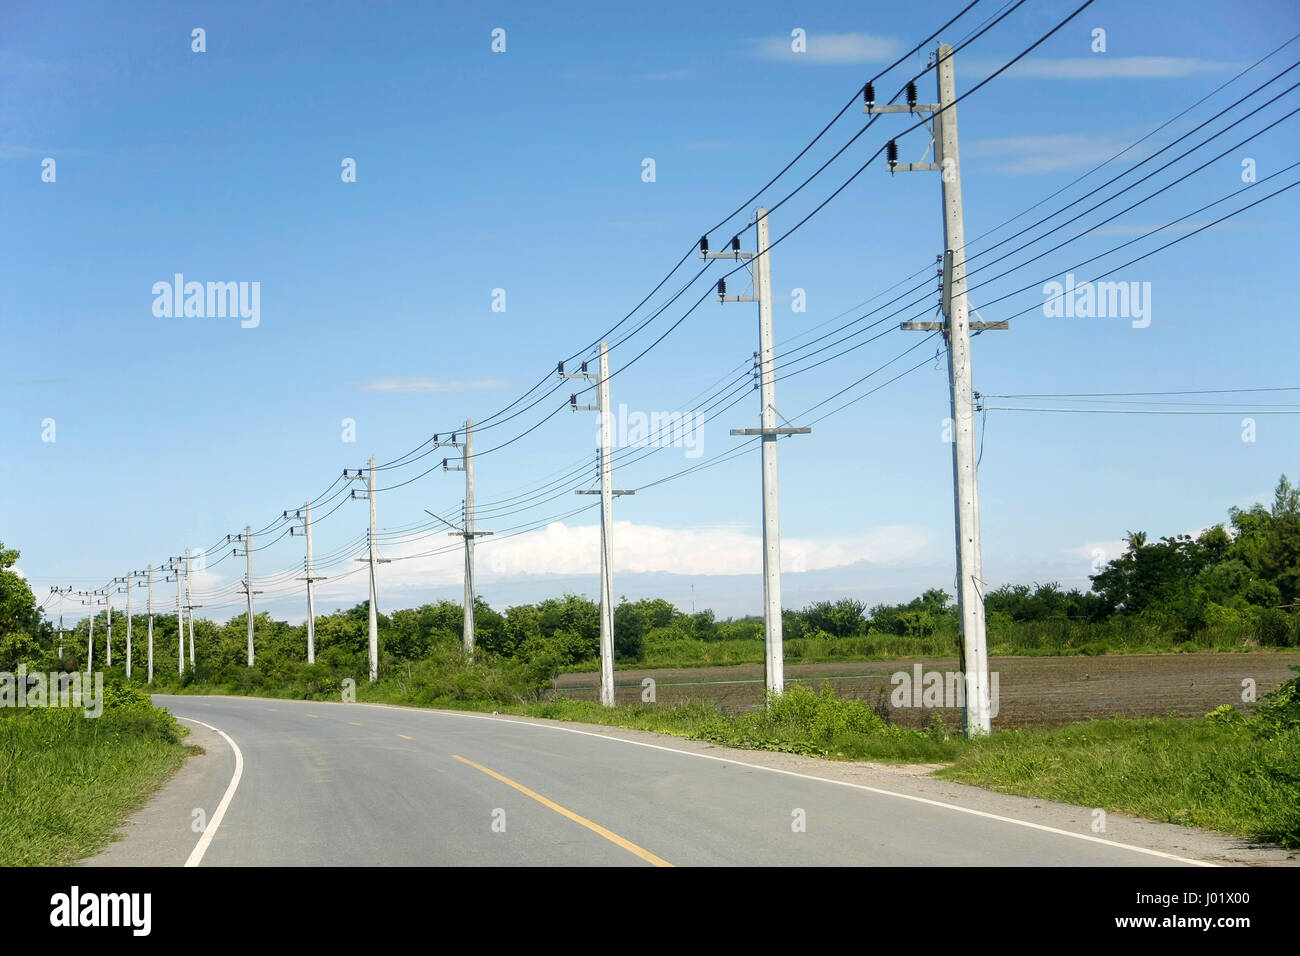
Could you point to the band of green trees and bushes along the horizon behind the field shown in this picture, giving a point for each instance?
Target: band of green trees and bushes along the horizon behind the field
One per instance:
(1232, 589)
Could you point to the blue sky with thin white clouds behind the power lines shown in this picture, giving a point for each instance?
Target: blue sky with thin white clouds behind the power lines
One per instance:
(523, 171)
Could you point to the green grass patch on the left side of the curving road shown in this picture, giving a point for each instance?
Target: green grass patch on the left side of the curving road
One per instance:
(68, 782)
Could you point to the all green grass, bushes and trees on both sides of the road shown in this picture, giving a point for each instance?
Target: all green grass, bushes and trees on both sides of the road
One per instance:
(1232, 589)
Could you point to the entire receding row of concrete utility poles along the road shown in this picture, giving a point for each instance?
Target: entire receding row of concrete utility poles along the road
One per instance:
(942, 122)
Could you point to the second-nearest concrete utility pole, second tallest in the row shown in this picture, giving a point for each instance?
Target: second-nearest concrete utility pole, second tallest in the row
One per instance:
(774, 656)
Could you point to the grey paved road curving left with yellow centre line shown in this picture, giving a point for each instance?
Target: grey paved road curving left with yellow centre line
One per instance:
(359, 785)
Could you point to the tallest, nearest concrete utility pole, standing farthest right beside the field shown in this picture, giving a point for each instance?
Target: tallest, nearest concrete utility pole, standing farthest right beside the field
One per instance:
(957, 330)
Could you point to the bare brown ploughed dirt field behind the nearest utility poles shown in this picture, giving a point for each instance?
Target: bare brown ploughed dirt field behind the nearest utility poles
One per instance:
(1032, 691)
